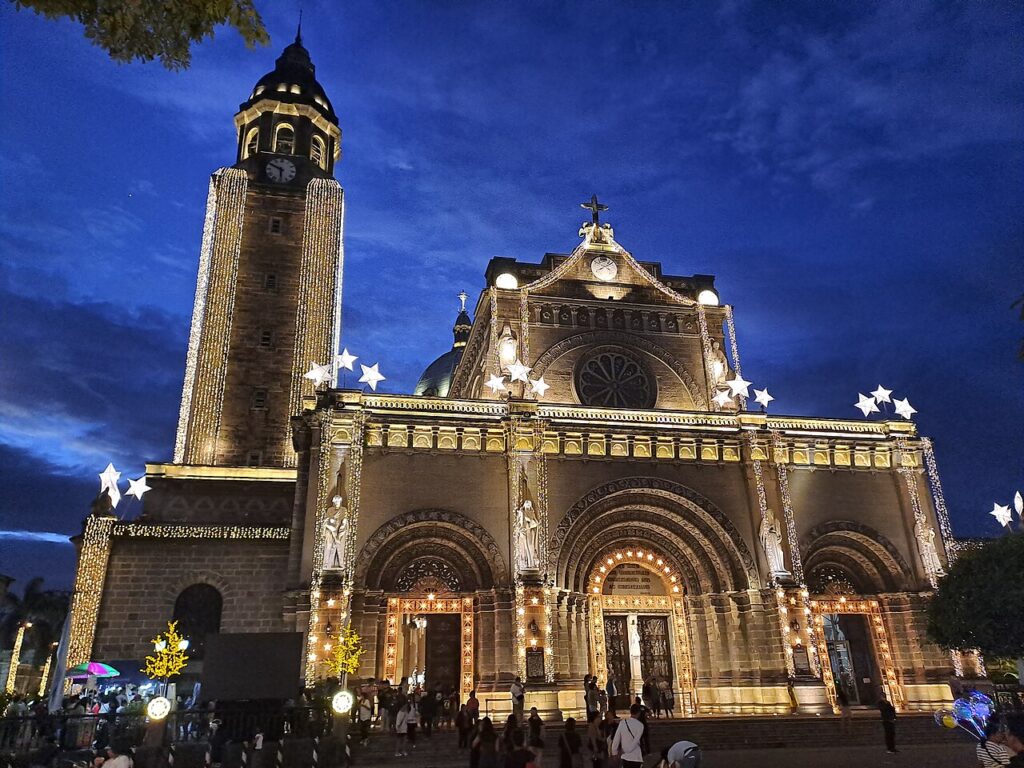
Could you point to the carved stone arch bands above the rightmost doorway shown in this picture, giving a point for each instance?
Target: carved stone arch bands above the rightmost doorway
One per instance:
(873, 562)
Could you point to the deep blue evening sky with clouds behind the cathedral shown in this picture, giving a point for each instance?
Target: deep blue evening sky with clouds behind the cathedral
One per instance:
(854, 175)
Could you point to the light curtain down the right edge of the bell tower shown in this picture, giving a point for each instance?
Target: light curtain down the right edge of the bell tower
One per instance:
(317, 317)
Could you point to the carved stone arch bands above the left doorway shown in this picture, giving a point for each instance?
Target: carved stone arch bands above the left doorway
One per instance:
(435, 535)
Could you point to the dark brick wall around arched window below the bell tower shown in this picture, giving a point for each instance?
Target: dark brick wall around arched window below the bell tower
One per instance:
(146, 576)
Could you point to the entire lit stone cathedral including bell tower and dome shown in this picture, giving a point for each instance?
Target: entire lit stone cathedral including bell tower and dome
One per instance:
(582, 485)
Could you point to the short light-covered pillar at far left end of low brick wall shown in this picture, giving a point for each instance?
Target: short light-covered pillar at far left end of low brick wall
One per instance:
(90, 579)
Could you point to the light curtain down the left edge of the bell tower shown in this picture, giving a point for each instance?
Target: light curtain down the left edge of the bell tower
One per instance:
(206, 364)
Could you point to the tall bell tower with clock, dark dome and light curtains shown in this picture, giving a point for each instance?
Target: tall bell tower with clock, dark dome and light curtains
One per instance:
(269, 292)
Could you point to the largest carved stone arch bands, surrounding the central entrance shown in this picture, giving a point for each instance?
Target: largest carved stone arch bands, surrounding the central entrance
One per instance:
(710, 549)
